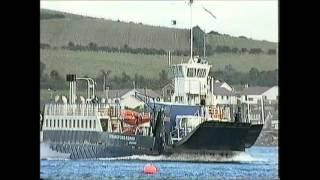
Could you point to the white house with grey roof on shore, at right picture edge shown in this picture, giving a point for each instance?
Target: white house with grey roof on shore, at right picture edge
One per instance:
(253, 94)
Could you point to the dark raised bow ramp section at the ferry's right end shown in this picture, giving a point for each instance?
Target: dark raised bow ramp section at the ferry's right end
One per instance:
(212, 137)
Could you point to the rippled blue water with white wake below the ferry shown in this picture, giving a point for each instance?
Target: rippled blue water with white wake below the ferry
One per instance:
(256, 163)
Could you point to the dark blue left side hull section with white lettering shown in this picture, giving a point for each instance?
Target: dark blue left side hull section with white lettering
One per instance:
(86, 144)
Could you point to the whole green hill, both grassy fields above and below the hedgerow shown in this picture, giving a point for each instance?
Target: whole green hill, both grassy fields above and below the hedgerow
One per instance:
(58, 28)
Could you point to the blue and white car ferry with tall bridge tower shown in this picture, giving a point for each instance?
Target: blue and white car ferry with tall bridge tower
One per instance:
(192, 122)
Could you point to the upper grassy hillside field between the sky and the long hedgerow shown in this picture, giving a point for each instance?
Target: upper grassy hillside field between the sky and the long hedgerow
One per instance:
(83, 30)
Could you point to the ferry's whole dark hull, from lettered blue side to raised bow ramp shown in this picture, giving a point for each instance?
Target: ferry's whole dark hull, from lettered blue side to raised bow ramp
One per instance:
(208, 138)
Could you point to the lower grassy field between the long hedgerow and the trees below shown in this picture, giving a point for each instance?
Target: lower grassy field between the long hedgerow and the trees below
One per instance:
(90, 63)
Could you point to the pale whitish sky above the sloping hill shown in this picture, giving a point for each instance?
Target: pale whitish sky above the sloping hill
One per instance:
(257, 19)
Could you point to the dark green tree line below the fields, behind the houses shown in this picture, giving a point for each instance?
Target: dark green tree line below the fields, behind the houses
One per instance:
(254, 77)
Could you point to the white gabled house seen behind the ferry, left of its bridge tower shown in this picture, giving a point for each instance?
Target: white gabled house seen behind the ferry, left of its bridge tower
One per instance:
(131, 98)
